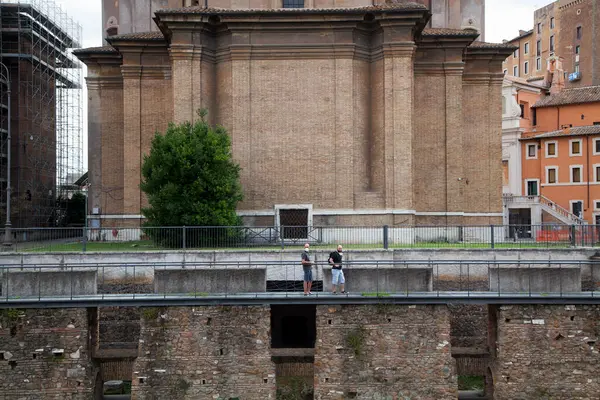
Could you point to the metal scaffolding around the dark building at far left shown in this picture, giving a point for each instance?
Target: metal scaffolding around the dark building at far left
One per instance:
(36, 42)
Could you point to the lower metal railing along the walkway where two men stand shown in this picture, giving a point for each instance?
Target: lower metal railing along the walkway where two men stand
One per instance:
(211, 281)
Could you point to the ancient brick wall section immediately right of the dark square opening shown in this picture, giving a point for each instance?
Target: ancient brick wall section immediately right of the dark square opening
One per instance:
(384, 351)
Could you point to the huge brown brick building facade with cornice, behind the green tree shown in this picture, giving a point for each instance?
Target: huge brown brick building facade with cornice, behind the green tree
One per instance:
(359, 116)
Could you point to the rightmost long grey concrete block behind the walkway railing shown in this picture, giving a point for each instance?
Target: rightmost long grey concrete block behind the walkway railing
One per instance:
(537, 279)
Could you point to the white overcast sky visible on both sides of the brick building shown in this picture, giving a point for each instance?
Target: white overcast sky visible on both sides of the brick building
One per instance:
(503, 20)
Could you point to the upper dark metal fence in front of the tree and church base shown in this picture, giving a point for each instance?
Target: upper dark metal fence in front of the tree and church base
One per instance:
(368, 237)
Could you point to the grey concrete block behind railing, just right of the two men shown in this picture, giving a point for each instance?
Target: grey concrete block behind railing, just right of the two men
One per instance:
(389, 280)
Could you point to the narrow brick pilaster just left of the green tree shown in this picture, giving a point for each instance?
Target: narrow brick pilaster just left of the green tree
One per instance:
(131, 138)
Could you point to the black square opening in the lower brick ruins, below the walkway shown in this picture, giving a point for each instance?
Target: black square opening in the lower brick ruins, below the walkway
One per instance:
(293, 326)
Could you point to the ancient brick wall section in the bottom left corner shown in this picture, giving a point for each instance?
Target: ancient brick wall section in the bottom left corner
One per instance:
(44, 354)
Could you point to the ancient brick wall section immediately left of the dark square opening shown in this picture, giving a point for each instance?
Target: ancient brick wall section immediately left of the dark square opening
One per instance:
(204, 353)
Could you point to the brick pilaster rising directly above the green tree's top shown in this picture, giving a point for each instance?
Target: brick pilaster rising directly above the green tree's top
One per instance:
(183, 82)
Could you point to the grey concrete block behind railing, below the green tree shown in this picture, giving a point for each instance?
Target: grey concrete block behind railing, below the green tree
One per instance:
(225, 280)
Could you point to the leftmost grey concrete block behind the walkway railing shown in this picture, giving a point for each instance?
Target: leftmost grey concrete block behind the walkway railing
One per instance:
(49, 283)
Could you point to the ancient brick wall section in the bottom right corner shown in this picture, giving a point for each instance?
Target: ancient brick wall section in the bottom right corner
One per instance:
(546, 352)
